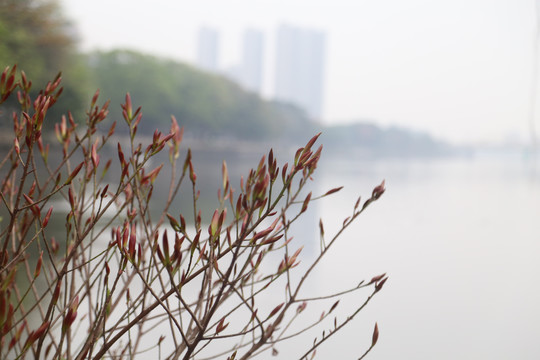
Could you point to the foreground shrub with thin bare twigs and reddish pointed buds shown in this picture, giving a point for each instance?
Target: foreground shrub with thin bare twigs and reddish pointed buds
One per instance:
(195, 288)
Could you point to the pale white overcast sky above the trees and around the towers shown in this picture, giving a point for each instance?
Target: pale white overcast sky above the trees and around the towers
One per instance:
(461, 70)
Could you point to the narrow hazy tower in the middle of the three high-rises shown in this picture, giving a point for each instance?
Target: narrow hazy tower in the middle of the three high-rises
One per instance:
(252, 60)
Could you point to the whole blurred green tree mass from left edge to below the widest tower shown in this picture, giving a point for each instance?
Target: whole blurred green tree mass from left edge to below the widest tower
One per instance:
(35, 35)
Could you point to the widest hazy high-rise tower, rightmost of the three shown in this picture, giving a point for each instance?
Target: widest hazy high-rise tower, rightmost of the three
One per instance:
(299, 72)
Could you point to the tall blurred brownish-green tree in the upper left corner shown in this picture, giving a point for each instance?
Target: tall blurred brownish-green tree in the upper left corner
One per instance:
(36, 36)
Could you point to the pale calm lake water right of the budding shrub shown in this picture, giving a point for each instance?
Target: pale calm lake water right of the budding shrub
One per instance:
(460, 241)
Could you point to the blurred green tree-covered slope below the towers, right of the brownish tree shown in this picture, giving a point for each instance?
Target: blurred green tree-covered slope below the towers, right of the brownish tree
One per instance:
(208, 105)
